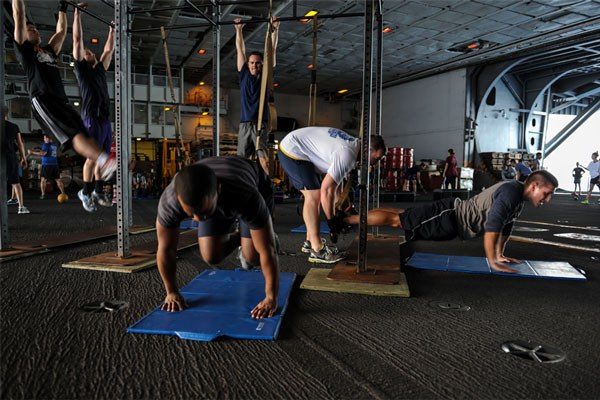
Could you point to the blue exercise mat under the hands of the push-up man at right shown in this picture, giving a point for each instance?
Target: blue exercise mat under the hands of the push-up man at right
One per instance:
(479, 265)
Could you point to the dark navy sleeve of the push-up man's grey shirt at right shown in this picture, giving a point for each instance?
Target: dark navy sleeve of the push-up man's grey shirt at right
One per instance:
(507, 204)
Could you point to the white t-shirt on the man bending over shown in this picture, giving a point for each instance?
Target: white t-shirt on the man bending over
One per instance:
(331, 150)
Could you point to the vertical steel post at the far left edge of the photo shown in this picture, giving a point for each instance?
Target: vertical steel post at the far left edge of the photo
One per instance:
(3, 158)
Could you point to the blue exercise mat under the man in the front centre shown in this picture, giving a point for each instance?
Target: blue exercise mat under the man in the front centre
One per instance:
(219, 304)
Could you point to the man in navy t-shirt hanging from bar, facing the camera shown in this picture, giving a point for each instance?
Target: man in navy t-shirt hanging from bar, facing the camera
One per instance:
(250, 78)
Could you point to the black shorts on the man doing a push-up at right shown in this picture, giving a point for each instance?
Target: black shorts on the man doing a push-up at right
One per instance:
(435, 221)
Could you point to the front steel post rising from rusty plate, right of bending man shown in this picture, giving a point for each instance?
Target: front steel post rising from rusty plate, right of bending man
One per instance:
(367, 92)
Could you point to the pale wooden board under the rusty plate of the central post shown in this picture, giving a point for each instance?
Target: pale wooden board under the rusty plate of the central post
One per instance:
(316, 279)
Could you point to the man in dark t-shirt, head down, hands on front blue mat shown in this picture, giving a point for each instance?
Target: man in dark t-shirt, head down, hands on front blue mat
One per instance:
(216, 192)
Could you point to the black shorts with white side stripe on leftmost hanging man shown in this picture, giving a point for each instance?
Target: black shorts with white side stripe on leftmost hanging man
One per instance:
(58, 117)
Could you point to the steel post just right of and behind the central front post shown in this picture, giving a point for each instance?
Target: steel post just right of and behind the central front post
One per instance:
(378, 96)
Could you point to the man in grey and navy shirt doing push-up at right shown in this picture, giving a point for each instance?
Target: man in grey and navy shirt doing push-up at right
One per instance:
(491, 213)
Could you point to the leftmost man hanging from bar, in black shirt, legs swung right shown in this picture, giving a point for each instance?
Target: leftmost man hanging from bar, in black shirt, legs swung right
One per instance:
(49, 101)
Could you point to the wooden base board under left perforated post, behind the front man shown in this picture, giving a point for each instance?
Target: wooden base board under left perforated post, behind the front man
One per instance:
(143, 257)
